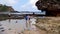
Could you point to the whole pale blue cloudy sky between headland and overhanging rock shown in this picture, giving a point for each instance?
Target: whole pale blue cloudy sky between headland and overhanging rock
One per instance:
(21, 5)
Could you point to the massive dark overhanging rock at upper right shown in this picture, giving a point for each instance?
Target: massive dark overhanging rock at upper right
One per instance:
(52, 7)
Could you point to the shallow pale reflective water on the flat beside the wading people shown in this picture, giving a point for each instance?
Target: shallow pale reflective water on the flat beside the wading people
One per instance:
(15, 26)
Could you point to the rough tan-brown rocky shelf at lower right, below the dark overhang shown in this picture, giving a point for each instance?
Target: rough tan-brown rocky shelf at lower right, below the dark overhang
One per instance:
(49, 24)
